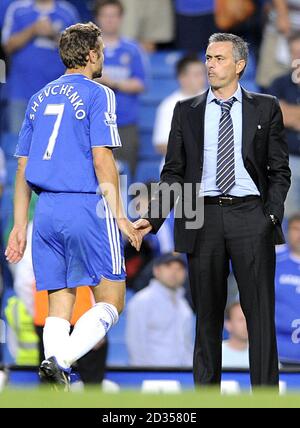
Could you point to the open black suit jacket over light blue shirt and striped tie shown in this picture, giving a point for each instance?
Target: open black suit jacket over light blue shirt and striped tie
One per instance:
(264, 150)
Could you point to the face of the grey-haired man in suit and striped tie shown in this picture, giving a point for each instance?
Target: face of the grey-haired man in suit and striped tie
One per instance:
(222, 70)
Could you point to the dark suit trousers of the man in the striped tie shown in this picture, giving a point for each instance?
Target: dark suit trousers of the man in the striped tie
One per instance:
(243, 234)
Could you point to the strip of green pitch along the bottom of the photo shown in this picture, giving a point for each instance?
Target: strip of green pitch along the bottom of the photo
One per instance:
(92, 398)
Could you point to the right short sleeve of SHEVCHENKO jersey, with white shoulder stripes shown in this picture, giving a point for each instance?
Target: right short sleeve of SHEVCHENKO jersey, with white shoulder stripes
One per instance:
(103, 120)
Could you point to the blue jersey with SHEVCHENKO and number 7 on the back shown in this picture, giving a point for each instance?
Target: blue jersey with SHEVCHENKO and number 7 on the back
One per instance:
(63, 122)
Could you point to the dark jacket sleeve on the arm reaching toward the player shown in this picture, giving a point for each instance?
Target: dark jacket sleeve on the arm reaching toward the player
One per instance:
(172, 176)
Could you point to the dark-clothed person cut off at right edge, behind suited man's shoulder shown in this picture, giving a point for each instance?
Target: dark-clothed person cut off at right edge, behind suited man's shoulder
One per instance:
(287, 89)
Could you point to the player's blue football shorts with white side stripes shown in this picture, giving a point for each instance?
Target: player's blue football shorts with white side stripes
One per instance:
(75, 242)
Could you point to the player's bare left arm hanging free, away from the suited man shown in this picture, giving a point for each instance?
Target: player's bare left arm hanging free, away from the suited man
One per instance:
(17, 239)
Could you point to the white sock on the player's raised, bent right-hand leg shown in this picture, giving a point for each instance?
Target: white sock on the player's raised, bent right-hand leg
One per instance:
(89, 330)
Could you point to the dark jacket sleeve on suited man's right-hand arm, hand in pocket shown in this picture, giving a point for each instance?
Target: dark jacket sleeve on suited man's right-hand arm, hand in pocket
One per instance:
(279, 173)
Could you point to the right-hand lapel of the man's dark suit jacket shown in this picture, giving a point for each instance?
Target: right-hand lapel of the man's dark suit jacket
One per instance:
(251, 115)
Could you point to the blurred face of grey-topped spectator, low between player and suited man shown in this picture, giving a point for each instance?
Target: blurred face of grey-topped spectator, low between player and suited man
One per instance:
(172, 274)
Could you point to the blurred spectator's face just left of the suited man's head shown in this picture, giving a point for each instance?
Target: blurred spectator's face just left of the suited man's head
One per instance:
(193, 79)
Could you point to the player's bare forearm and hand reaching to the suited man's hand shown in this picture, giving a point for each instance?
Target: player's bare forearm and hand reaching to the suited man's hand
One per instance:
(108, 179)
